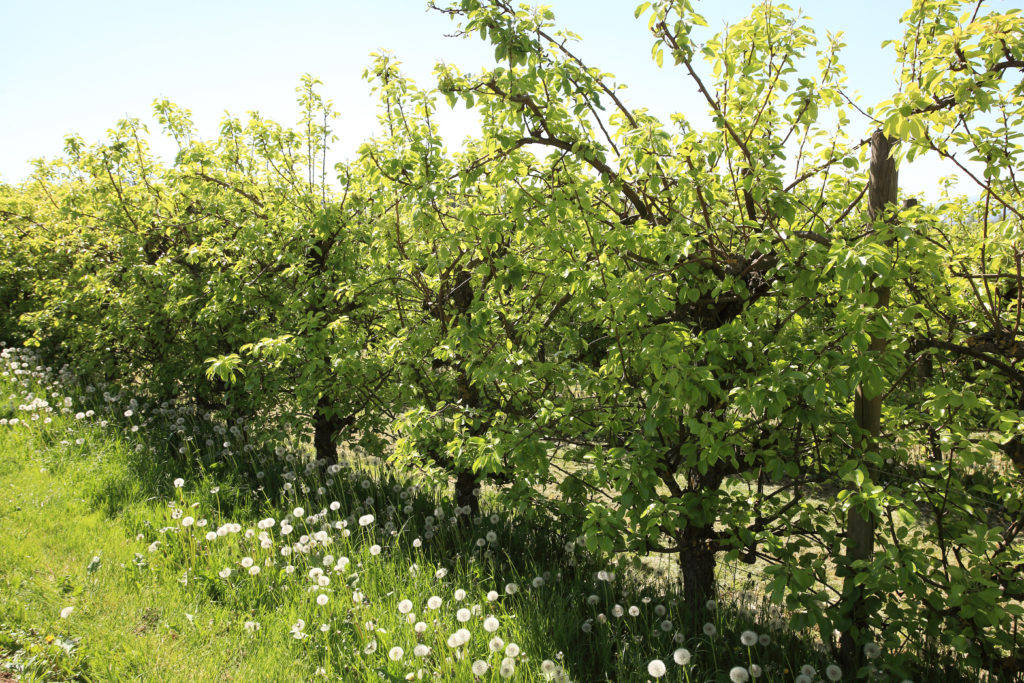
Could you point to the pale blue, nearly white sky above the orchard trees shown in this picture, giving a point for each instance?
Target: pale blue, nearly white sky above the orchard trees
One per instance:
(71, 67)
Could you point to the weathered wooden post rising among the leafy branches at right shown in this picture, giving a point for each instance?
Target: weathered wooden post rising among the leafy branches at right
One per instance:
(882, 190)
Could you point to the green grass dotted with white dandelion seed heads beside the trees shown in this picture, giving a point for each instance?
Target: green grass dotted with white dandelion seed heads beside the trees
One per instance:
(93, 520)
